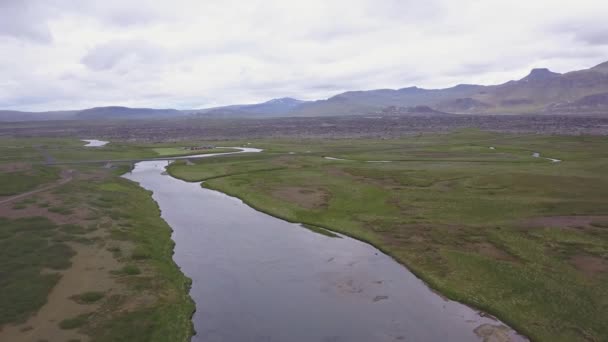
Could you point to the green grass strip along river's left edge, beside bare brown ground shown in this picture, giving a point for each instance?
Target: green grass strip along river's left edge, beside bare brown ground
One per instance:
(136, 219)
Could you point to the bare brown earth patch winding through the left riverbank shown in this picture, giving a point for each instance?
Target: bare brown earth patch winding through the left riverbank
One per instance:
(92, 268)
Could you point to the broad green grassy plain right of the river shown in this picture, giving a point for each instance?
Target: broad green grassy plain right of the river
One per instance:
(472, 213)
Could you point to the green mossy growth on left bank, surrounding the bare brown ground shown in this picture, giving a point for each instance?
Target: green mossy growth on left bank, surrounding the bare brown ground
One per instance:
(31, 248)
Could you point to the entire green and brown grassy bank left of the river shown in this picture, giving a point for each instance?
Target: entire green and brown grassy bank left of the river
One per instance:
(90, 259)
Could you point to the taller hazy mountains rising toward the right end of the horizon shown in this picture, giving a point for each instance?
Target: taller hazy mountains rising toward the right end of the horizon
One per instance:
(539, 92)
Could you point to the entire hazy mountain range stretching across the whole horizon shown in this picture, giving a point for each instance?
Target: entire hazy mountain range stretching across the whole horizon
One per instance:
(540, 92)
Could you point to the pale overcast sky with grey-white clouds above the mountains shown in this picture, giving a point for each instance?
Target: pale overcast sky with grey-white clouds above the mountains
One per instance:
(65, 54)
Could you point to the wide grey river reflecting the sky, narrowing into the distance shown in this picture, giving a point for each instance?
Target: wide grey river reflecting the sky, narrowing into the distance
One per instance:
(259, 278)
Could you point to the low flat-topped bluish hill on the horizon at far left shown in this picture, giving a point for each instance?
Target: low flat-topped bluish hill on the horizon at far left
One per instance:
(116, 112)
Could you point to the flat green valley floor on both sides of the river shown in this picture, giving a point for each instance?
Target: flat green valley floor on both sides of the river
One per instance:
(472, 213)
